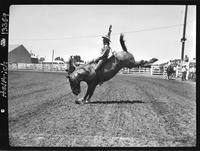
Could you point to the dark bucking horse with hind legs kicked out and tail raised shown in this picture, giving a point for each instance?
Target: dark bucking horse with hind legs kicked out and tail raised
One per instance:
(108, 70)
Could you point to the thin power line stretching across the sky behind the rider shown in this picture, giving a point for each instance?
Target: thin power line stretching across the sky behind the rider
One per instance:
(93, 36)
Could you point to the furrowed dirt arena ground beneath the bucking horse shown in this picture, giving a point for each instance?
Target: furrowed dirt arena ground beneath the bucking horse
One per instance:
(128, 110)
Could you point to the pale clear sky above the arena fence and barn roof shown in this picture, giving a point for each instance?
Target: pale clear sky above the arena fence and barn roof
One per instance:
(149, 30)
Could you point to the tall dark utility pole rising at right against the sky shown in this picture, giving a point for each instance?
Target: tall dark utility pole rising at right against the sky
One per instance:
(184, 31)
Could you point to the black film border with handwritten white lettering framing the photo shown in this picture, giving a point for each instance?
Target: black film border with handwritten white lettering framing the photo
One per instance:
(4, 11)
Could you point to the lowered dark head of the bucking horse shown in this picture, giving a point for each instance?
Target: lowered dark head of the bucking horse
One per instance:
(74, 82)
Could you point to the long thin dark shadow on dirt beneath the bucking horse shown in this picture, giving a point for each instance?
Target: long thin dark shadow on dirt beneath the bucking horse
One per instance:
(118, 102)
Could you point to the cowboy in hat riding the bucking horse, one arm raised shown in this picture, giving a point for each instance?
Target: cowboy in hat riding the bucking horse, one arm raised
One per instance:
(104, 52)
